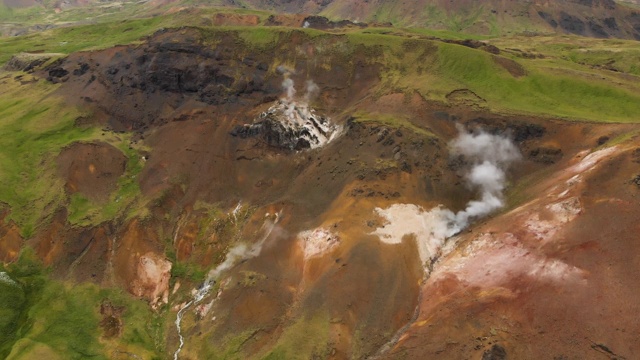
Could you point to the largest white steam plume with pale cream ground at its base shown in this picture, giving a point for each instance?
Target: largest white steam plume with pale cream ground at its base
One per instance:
(489, 156)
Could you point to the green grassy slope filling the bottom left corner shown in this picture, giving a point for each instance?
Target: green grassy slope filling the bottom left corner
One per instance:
(50, 318)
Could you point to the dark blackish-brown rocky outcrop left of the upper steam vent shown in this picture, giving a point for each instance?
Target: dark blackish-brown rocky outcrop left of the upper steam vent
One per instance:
(168, 71)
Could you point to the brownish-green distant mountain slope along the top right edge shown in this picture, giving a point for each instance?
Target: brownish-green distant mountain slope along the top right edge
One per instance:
(597, 18)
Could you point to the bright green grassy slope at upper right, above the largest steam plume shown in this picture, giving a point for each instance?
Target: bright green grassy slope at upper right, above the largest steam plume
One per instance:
(543, 91)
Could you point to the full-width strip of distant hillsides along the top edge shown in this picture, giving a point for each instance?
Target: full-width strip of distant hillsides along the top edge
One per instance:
(593, 18)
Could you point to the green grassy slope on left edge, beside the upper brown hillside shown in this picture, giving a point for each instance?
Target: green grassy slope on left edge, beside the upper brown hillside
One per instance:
(35, 125)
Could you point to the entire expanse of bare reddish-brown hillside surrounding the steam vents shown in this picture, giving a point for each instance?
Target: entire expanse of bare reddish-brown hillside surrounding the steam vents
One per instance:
(369, 290)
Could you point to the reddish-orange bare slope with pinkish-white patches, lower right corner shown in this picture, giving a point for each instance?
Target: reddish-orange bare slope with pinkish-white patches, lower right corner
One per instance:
(530, 313)
